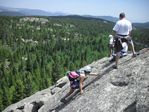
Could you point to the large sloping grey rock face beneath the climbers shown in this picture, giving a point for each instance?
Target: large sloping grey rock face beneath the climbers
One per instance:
(125, 89)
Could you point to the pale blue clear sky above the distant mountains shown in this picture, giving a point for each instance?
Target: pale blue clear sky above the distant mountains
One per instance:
(135, 10)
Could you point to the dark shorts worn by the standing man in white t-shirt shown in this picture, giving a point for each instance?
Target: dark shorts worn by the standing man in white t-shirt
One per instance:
(119, 41)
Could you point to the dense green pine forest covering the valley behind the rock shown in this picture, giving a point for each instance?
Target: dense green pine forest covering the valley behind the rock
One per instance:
(36, 51)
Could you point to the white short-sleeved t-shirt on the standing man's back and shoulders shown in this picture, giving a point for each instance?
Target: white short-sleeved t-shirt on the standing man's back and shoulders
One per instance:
(123, 27)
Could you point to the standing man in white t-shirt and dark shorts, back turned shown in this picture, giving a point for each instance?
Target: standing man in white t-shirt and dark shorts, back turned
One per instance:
(122, 31)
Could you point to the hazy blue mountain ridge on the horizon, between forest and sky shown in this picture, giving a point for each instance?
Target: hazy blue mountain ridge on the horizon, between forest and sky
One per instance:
(8, 11)
